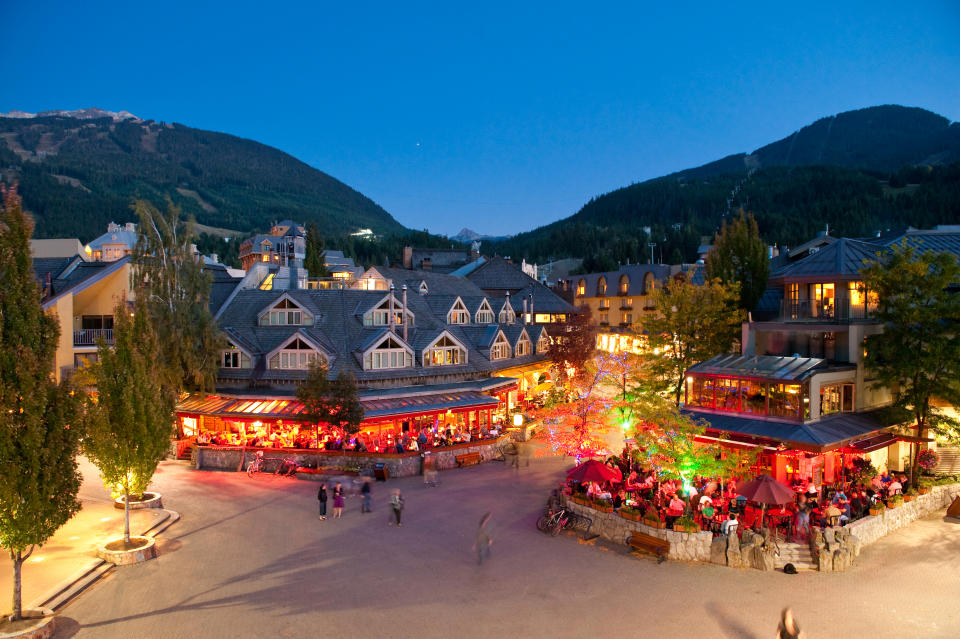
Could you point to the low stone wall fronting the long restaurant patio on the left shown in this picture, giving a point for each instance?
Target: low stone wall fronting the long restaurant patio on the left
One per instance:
(398, 464)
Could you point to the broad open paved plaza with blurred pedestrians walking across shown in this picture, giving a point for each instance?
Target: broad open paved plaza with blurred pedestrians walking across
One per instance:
(249, 558)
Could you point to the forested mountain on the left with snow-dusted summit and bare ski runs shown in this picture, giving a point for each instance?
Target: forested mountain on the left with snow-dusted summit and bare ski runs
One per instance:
(78, 170)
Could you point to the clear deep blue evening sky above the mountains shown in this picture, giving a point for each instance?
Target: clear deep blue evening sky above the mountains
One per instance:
(497, 116)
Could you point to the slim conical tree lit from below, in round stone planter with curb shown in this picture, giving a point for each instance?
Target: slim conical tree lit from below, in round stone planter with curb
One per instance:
(130, 425)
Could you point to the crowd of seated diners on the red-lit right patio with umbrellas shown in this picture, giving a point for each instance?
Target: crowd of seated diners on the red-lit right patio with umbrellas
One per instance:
(715, 505)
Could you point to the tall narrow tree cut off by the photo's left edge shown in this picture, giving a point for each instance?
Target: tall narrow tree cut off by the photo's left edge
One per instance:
(39, 429)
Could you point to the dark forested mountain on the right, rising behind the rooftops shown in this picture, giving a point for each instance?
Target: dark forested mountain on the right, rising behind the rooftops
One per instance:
(860, 172)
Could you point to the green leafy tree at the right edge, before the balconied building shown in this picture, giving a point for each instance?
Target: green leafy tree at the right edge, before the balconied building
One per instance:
(918, 353)
